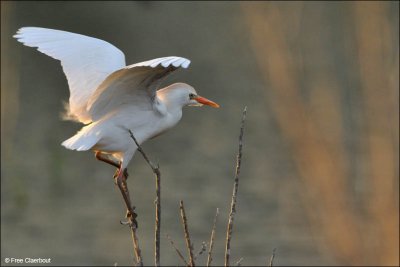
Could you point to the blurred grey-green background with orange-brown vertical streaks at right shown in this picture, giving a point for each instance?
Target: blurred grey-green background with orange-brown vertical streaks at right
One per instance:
(320, 173)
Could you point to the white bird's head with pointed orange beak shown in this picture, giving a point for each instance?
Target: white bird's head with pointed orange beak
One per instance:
(185, 95)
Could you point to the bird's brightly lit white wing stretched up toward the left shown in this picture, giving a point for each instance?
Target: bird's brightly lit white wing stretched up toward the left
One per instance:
(86, 62)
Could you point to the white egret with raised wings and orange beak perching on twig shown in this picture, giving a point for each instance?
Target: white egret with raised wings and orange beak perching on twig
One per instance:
(113, 99)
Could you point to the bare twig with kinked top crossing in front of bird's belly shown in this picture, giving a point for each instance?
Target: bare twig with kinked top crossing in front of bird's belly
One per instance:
(156, 170)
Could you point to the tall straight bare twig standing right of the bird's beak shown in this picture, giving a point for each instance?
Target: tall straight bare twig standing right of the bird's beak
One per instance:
(234, 194)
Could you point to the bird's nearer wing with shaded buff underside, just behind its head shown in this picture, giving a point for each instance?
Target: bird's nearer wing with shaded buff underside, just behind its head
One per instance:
(133, 85)
